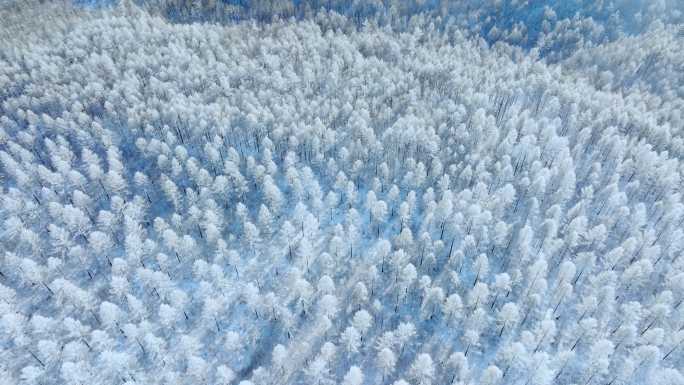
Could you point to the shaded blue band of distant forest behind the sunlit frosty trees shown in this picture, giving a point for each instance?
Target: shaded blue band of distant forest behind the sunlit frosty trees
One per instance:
(554, 28)
